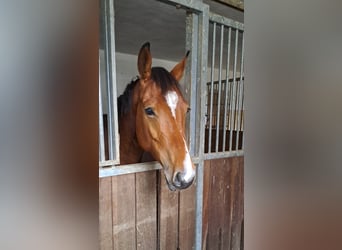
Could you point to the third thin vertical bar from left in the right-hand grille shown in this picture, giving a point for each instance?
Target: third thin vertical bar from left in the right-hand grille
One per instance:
(227, 97)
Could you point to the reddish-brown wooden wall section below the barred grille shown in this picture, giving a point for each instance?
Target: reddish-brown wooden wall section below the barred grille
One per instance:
(223, 203)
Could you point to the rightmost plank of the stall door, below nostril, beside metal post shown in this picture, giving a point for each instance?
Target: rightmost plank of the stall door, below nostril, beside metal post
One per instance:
(187, 216)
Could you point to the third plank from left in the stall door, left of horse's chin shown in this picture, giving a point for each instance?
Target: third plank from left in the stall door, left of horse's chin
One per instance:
(146, 210)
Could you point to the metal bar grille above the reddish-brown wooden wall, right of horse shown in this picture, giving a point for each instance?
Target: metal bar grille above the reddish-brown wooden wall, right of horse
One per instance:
(225, 108)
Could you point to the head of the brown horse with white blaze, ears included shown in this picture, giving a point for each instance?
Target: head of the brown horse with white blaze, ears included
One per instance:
(160, 119)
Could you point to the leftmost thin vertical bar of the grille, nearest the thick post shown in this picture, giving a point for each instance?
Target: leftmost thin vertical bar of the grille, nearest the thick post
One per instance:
(212, 87)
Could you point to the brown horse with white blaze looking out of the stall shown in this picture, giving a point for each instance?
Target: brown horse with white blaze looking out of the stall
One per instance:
(152, 114)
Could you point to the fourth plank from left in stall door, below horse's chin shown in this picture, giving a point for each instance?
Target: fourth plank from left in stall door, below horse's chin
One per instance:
(167, 216)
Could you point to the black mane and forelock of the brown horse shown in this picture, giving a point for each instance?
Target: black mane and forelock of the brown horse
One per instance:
(159, 75)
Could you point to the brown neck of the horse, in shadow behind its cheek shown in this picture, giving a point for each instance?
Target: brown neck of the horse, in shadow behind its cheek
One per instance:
(130, 150)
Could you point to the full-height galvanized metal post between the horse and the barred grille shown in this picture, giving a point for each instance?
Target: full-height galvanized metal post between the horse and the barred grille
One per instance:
(203, 34)
